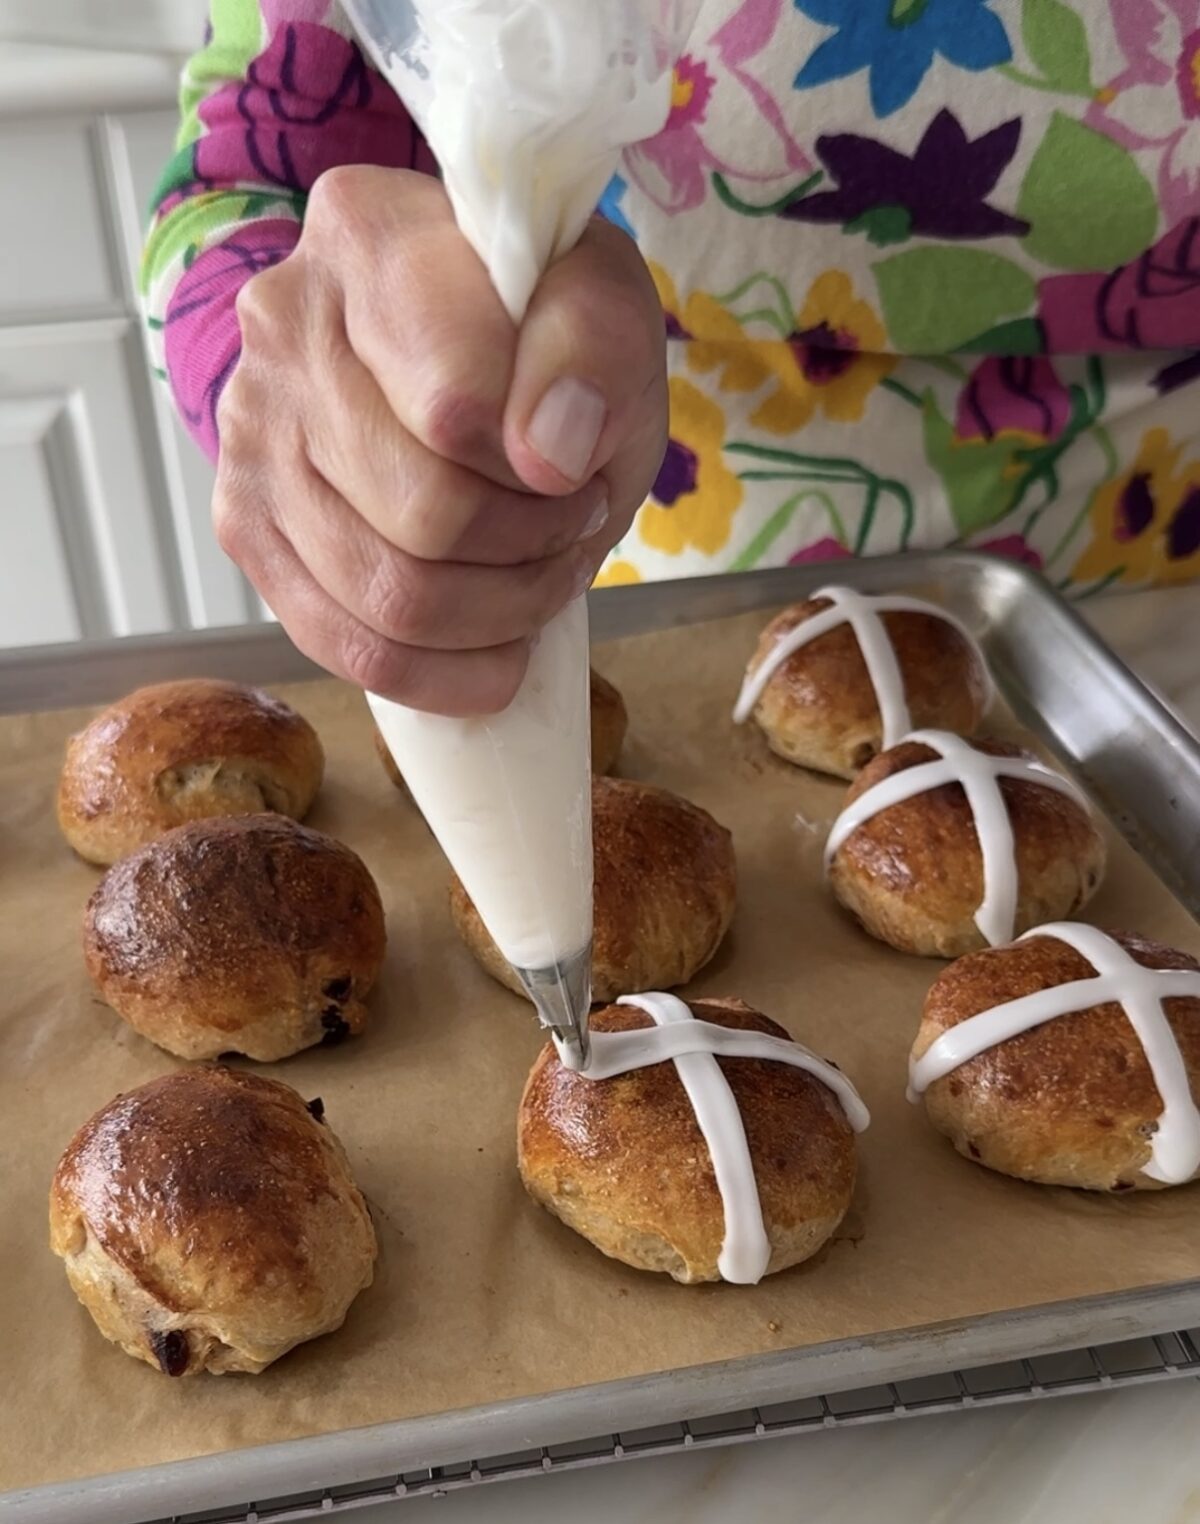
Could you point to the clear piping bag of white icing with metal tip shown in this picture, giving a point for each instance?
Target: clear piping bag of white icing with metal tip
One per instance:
(527, 106)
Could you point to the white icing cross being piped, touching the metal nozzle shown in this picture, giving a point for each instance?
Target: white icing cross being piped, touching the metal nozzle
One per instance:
(695, 1046)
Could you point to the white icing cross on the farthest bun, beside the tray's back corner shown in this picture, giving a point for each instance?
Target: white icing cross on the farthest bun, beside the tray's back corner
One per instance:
(862, 613)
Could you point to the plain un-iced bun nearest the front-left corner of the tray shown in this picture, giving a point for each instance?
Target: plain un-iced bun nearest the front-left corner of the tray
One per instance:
(208, 1221)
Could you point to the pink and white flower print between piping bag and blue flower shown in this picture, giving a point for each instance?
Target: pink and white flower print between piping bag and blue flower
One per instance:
(713, 89)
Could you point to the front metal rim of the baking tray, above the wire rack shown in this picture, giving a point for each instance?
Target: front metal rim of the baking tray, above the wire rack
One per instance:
(560, 1418)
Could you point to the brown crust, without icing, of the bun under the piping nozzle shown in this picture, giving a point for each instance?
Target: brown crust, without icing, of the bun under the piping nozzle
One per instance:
(626, 1165)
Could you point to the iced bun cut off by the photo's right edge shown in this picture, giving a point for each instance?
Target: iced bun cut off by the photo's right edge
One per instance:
(1071, 1058)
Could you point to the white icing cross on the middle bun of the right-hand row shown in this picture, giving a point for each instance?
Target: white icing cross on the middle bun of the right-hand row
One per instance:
(980, 775)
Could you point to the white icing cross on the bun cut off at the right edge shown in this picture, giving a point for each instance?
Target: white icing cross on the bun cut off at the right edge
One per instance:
(1175, 1150)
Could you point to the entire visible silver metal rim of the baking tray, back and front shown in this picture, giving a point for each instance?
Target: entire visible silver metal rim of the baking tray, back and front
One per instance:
(1134, 754)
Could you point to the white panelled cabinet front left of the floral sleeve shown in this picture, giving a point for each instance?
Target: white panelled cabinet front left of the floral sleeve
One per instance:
(104, 501)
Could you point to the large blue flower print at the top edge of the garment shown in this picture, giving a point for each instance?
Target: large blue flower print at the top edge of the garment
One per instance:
(897, 42)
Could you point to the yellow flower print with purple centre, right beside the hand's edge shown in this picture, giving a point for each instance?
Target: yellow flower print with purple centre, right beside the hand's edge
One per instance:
(696, 495)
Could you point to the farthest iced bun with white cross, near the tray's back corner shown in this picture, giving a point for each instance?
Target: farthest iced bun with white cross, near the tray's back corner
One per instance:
(847, 674)
